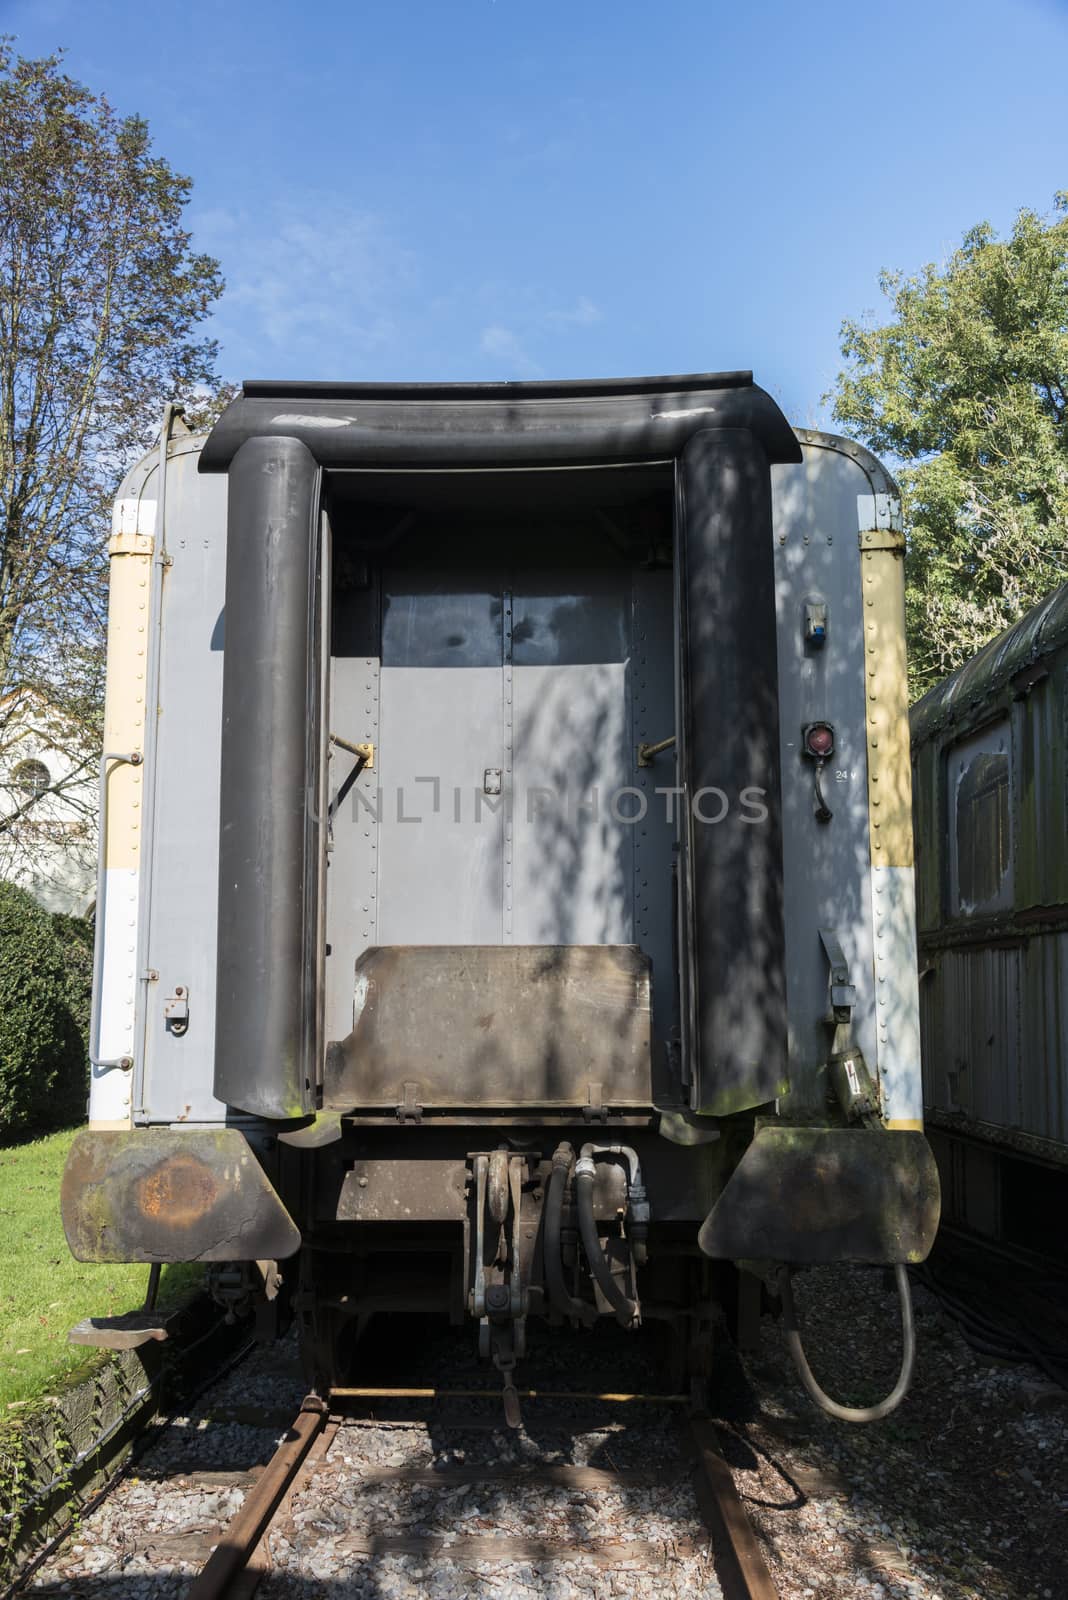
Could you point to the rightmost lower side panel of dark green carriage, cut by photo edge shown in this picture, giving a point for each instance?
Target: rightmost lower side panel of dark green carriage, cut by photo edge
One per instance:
(1045, 1038)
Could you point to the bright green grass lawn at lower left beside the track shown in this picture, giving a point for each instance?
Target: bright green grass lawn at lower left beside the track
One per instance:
(44, 1290)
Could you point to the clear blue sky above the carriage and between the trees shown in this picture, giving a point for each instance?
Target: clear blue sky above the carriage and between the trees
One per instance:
(525, 188)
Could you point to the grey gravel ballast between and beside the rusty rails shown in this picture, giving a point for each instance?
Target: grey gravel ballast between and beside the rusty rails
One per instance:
(958, 1497)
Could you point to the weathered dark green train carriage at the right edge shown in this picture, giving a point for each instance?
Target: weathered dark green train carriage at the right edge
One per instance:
(992, 820)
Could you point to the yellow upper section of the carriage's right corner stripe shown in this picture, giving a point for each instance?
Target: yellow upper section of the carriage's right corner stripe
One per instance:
(887, 698)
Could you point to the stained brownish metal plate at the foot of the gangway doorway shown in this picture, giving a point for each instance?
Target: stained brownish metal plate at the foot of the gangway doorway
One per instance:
(496, 1026)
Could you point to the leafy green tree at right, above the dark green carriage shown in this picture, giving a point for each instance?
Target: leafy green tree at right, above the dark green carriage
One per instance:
(966, 390)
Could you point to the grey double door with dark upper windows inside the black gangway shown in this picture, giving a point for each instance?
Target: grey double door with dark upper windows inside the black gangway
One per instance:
(504, 738)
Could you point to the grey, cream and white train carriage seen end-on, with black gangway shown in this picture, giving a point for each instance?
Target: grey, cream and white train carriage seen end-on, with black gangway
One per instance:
(506, 890)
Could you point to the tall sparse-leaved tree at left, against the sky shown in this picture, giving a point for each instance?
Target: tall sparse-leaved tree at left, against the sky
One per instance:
(102, 302)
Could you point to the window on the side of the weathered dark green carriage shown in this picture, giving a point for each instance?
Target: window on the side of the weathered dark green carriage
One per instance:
(981, 823)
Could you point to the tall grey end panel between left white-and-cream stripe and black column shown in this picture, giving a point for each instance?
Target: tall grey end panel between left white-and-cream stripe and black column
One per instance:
(185, 846)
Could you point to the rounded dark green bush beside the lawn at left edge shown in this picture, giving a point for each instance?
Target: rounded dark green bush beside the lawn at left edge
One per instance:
(42, 986)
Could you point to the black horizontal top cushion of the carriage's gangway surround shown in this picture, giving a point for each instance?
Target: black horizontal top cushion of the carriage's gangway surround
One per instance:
(426, 426)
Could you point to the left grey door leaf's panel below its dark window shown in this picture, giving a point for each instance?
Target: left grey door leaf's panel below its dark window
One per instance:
(440, 871)
